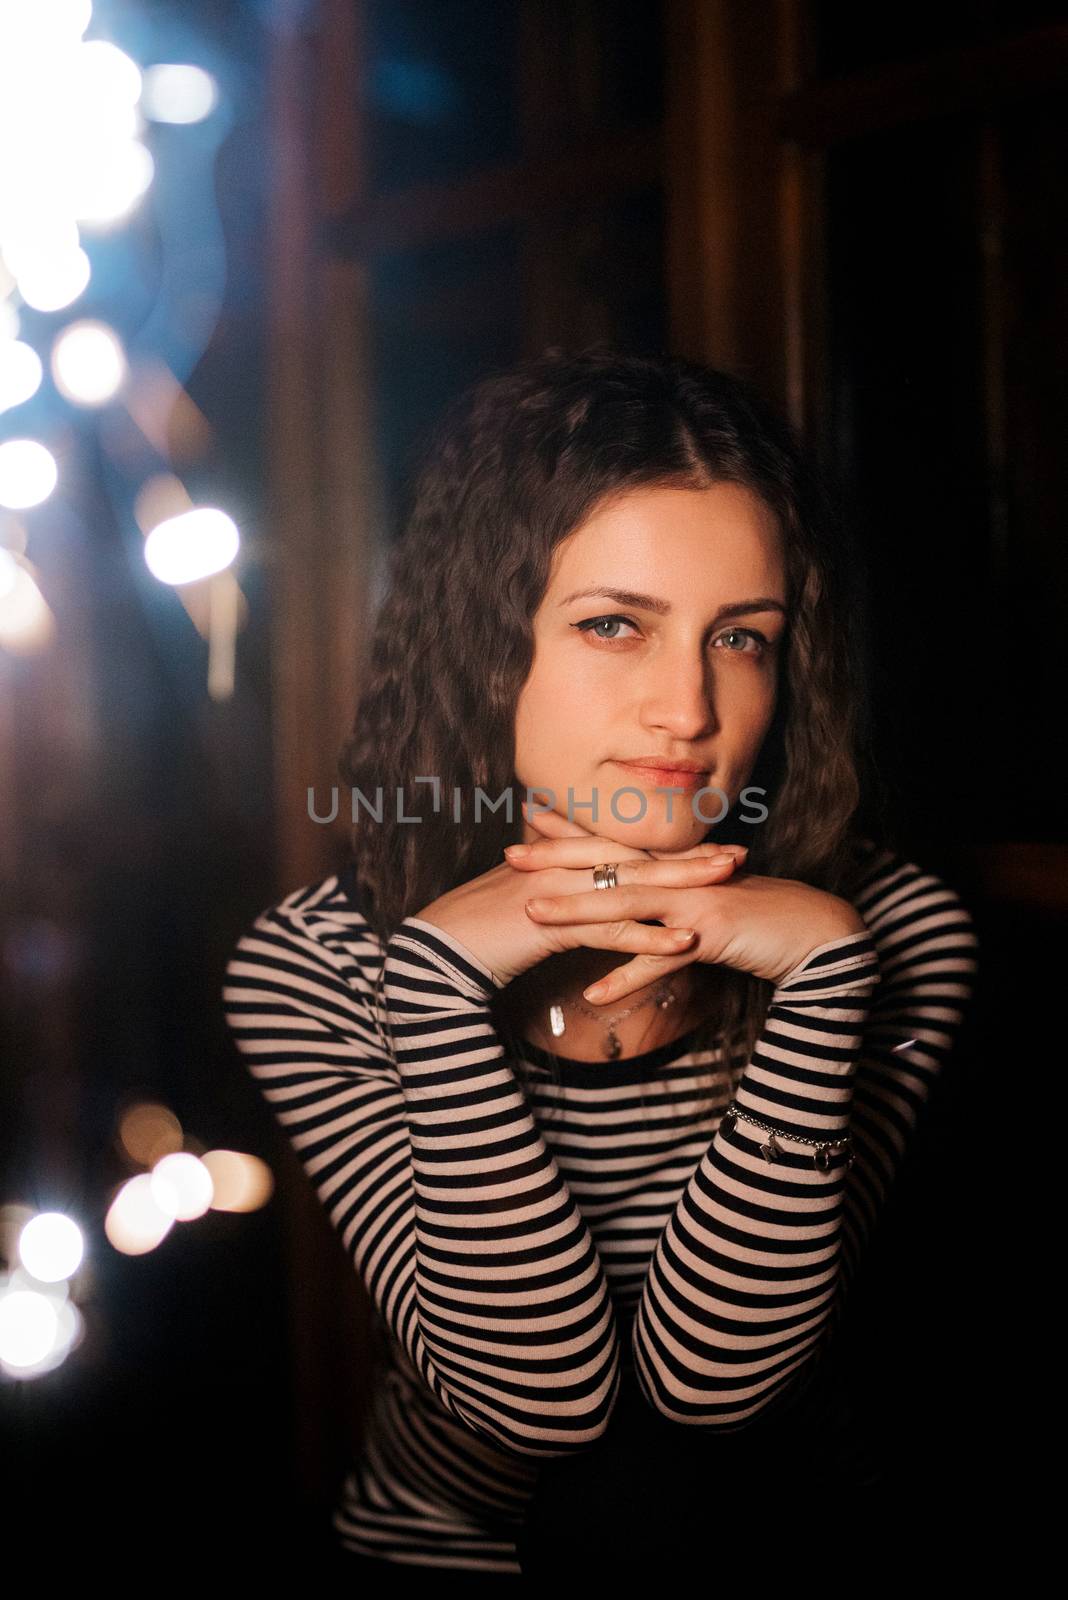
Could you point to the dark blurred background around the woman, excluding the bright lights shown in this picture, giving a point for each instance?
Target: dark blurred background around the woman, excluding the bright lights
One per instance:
(859, 209)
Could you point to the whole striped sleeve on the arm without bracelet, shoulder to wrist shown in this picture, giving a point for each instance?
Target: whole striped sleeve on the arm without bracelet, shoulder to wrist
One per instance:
(428, 1161)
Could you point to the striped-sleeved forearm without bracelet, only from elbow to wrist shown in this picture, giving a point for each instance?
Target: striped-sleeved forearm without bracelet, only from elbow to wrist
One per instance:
(514, 1303)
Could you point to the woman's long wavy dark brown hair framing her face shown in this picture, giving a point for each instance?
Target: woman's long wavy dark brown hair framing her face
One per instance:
(517, 463)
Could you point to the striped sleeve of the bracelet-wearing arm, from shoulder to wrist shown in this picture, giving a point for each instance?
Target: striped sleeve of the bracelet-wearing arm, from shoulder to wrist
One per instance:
(749, 1273)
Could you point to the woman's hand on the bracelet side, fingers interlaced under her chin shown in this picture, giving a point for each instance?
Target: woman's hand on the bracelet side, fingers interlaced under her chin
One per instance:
(754, 924)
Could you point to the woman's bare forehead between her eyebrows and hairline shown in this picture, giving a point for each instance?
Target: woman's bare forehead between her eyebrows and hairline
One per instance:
(685, 542)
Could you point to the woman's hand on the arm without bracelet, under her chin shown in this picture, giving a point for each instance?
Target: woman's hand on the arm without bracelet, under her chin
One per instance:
(488, 916)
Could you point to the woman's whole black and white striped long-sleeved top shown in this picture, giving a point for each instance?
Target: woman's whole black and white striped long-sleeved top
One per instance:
(525, 1244)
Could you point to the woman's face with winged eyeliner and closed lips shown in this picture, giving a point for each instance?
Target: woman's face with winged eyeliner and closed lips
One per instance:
(680, 665)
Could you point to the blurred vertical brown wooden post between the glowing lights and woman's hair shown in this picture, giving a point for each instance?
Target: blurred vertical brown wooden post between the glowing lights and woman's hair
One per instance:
(322, 550)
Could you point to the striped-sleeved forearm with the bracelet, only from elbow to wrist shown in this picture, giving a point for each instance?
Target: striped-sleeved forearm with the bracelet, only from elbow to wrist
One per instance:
(744, 1274)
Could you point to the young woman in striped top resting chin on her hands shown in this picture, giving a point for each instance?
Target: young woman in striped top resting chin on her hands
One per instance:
(608, 1121)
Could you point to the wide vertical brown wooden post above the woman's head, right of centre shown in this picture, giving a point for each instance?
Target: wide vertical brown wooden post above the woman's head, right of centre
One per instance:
(744, 207)
